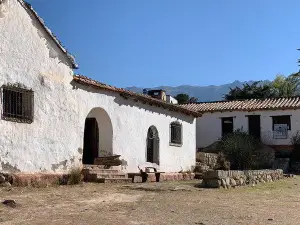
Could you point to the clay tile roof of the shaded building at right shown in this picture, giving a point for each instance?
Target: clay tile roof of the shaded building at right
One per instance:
(245, 105)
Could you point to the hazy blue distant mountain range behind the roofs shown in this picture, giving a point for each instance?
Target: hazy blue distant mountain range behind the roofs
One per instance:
(203, 93)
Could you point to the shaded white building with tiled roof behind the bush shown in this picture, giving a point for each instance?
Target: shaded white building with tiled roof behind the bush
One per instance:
(273, 120)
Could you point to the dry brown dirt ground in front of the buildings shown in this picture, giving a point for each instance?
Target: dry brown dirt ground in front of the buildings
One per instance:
(155, 203)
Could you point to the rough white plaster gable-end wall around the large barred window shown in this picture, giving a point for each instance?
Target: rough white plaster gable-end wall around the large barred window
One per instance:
(29, 57)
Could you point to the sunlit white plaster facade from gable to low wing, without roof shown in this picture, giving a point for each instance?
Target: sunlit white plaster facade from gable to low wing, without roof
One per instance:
(53, 142)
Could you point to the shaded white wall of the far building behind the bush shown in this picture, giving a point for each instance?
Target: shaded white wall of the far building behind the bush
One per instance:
(209, 126)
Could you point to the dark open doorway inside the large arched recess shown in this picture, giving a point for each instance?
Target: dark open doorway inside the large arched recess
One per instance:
(91, 141)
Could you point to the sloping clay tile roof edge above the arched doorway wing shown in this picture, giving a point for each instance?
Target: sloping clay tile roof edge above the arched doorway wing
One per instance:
(146, 99)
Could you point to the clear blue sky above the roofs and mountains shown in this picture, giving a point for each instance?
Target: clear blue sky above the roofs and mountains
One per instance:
(174, 42)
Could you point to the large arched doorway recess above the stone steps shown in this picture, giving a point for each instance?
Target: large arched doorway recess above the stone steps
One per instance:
(98, 136)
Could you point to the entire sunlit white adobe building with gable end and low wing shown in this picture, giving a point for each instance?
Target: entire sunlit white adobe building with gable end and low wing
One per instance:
(52, 120)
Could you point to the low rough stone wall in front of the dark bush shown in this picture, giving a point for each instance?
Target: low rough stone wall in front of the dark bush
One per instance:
(233, 178)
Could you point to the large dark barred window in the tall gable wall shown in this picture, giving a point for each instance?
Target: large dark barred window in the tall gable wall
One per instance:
(17, 104)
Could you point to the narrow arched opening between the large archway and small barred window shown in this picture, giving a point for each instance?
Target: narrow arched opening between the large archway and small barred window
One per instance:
(153, 145)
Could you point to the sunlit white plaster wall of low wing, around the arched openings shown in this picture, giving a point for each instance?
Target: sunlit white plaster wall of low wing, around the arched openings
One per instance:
(131, 121)
